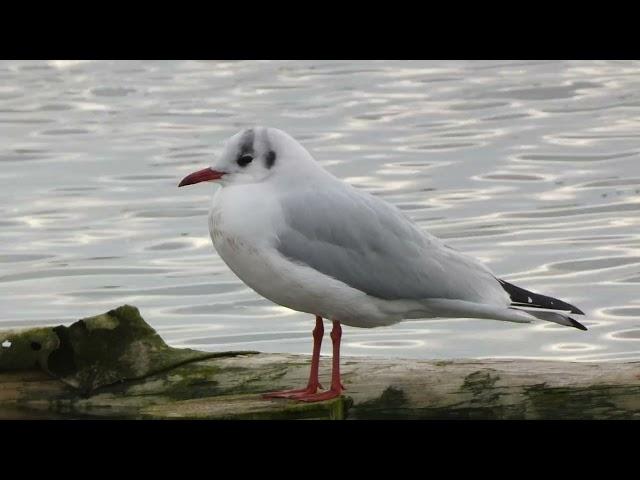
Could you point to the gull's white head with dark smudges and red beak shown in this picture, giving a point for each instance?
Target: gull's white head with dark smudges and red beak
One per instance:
(255, 155)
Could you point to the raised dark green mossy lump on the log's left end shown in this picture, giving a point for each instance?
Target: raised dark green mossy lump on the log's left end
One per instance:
(96, 351)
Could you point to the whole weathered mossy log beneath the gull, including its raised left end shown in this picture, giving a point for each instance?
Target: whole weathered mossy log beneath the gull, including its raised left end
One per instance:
(116, 366)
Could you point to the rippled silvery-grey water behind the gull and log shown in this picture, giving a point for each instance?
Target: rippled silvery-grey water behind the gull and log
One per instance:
(531, 166)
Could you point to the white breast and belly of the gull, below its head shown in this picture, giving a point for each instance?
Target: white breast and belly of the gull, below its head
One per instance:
(243, 223)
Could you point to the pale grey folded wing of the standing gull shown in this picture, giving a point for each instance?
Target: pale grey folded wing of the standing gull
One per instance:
(372, 246)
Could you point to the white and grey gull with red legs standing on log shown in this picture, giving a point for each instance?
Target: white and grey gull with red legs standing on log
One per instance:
(306, 240)
